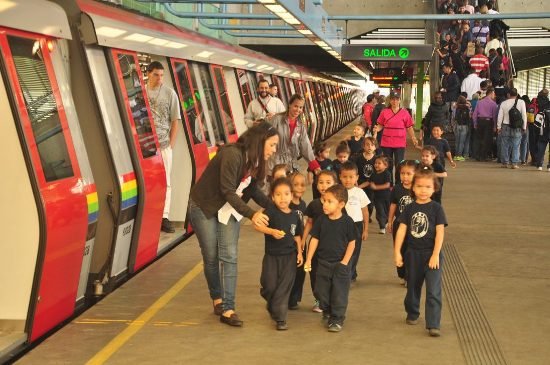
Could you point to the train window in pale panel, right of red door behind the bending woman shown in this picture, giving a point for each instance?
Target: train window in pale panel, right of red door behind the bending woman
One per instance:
(210, 112)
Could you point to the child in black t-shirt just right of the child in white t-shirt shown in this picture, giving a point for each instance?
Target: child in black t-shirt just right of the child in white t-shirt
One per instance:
(380, 184)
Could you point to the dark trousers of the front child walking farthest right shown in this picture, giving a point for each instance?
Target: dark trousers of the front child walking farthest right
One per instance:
(418, 272)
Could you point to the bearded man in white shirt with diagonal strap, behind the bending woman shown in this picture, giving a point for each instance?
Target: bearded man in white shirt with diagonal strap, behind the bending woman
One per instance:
(264, 106)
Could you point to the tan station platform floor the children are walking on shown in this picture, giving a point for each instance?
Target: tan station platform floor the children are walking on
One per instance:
(495, 302)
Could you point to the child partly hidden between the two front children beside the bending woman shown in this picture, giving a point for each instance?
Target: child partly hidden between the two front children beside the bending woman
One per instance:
(298, 182)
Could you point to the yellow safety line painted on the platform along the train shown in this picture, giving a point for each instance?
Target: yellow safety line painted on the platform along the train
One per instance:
(116, 343)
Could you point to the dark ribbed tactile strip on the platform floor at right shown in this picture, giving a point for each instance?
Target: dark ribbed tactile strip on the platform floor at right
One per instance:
(476, 336)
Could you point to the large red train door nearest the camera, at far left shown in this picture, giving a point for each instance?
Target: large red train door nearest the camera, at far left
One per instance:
(62, 205)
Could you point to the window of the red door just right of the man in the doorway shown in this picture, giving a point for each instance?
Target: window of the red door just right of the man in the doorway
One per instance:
(190, 99)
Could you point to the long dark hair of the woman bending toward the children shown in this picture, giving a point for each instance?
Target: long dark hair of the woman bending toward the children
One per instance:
(253, 142)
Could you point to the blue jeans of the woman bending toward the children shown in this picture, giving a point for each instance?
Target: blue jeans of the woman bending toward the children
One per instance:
(219, 248)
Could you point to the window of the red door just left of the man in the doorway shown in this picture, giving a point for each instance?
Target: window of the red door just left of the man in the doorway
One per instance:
(136, 101)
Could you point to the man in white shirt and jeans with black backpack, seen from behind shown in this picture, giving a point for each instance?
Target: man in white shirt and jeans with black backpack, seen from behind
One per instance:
(511, 123)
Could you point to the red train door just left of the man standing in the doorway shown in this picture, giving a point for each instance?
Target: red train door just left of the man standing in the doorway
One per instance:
(145, 152)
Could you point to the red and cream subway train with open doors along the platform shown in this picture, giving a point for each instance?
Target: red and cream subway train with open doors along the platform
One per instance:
(83, 182)
